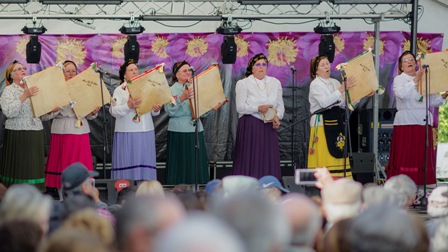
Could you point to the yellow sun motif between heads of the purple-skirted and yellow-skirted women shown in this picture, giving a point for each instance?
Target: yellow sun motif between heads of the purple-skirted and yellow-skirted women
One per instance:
(282, 51)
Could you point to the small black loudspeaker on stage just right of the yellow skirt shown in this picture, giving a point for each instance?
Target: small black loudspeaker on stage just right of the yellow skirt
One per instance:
(362, 166)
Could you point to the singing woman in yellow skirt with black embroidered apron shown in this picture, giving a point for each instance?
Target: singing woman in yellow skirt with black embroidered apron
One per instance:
(327, 140)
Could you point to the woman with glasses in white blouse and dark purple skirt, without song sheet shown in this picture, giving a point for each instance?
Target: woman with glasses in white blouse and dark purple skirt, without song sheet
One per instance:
(257, 151)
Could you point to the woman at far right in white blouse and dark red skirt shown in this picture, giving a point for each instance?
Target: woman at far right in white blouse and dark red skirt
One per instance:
(408, 136)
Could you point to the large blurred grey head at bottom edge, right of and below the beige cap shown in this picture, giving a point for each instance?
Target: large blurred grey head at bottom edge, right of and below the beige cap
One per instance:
(383, 228)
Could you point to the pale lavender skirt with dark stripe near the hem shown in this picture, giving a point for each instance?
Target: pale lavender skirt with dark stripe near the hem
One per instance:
(134, 156)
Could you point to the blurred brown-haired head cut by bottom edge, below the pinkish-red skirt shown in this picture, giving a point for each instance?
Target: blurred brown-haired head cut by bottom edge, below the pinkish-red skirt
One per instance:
(72, 240)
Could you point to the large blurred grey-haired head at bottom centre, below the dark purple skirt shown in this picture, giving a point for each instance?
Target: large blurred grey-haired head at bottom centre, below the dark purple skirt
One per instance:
(259, 222)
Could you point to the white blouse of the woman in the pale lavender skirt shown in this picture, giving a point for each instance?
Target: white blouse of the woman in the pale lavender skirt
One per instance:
(124, 115)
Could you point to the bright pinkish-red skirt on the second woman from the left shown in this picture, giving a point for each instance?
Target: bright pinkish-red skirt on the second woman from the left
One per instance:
(66, 149)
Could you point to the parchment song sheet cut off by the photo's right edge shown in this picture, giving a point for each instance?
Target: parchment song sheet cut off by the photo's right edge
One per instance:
(437, 72)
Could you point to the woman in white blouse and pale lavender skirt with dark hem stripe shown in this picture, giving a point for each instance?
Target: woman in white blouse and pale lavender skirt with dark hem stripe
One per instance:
(134, 148)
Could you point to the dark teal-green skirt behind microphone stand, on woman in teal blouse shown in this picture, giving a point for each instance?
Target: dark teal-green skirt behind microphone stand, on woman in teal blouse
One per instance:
(180, 159)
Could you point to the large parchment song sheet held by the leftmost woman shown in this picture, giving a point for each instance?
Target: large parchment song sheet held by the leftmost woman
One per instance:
(53, 91)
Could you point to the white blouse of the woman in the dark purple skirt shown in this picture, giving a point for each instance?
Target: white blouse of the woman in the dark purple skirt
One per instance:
(251, 93)
